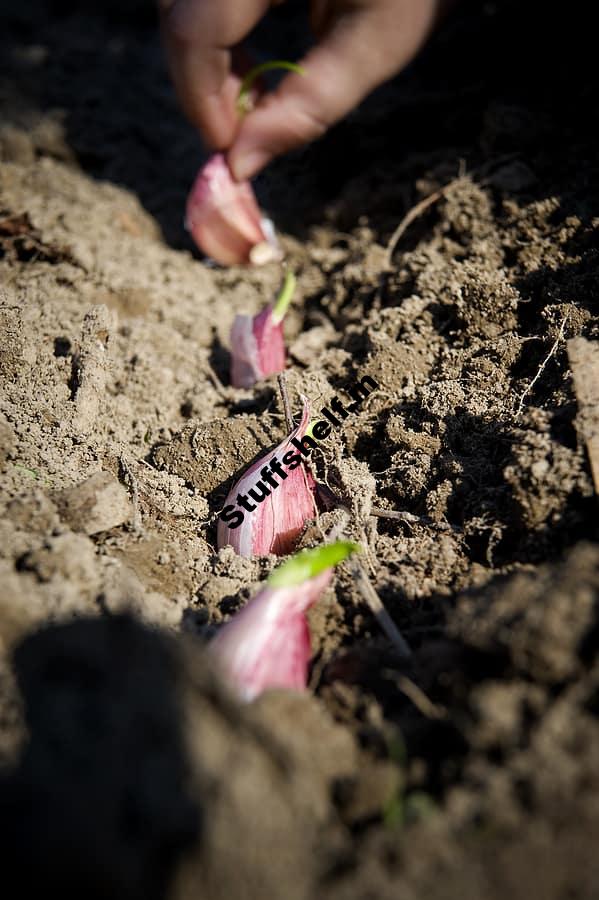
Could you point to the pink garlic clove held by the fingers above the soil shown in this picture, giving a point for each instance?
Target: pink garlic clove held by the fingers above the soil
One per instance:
(225, 220)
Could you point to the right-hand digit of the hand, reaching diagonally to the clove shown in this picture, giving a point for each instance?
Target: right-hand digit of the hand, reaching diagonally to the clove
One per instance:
(364, 48)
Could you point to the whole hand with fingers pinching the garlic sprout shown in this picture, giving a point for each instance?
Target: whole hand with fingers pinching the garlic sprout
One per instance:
(359, 45)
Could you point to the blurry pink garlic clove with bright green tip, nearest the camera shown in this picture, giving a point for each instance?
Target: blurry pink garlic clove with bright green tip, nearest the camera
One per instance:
(267, 643)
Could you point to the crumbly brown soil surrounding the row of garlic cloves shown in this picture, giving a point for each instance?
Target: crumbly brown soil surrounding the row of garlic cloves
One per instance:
(473, 770)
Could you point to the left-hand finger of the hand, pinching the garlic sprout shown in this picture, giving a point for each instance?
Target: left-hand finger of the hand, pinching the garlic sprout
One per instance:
(198, 35)
